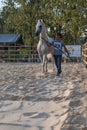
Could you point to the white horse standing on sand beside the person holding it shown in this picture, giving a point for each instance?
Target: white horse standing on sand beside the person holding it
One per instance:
(42, 47)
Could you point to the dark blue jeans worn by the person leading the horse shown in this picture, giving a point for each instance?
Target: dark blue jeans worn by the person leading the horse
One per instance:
(58, 60)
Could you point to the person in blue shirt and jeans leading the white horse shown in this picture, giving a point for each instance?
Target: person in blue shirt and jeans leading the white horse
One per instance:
(58, 43)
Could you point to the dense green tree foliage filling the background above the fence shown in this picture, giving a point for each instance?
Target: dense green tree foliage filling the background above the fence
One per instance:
(68, 17)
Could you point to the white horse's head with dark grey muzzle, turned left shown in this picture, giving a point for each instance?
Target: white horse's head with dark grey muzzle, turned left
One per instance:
(39, 26)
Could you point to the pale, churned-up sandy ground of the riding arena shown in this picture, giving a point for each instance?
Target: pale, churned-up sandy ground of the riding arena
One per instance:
(30, 100)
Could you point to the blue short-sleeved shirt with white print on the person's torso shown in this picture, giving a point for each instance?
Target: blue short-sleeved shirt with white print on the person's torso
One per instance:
(59, 44)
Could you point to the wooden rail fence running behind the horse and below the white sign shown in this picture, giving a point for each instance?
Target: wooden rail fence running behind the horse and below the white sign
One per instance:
(24, 54)
